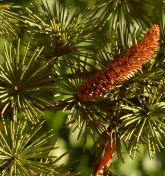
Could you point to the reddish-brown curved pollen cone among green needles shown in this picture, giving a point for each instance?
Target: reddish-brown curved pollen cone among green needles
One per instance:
(120, 69)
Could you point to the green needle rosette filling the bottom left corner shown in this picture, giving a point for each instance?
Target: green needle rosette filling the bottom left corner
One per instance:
(19, 154)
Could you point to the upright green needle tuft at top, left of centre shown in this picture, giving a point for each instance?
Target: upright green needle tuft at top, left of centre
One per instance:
(62, 30)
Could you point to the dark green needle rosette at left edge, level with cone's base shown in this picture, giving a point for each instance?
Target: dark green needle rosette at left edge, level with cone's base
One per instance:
(23, 83)
